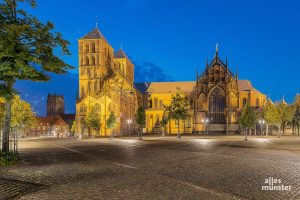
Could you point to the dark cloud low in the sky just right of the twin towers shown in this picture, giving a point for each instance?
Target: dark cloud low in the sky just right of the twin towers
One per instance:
(149, 72)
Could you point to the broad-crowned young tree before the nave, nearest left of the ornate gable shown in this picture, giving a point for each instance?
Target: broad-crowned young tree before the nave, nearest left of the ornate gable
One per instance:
(178, 110)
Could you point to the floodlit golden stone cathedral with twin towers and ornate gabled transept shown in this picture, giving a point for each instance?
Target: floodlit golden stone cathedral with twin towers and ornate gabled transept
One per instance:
(106, 84)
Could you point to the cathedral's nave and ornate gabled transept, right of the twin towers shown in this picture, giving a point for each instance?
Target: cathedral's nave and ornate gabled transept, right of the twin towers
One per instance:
(216, 98)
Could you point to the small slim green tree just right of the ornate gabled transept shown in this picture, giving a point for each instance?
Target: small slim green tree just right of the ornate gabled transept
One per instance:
(247, 119)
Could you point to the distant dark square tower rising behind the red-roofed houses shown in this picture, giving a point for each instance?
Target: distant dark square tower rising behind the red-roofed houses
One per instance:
(55, 105)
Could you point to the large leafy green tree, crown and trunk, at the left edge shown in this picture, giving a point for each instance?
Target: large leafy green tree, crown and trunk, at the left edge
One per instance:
(27, 49)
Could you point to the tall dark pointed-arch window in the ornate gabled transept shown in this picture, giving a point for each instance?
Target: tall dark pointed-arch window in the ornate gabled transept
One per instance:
(217, 106)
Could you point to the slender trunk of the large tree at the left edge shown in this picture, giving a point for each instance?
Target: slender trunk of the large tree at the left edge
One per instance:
(6, 128)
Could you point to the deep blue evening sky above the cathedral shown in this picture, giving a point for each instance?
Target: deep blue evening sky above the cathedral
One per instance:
(171, 40)
